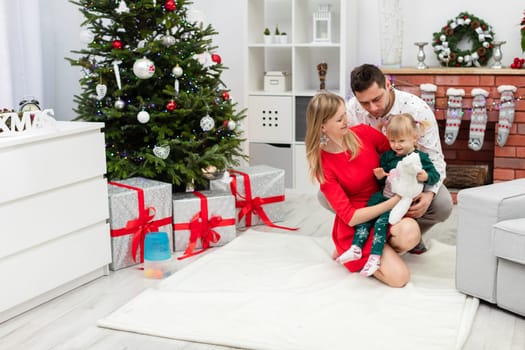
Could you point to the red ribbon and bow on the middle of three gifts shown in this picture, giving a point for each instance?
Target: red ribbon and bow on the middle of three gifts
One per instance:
(202, 228)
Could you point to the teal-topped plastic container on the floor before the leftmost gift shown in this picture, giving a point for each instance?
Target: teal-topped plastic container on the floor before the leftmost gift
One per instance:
(157, 255)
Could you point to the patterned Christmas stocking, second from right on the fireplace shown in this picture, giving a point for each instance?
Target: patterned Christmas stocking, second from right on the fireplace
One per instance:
(478, 119)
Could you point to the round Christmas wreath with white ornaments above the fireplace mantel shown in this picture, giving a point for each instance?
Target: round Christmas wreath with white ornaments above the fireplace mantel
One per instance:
(464, 29)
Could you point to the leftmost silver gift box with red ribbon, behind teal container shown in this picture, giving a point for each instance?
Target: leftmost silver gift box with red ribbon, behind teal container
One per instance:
(137, 206)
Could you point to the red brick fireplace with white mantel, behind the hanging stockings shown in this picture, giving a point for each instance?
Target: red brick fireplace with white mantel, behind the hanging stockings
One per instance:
(504, 163)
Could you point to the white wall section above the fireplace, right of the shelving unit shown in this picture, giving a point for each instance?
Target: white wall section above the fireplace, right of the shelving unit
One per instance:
(423, 18)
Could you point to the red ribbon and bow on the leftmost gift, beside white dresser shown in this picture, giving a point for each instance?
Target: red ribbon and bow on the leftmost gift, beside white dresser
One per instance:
(140, 226)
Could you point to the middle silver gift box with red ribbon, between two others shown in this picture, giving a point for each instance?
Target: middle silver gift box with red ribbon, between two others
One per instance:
(207, 213)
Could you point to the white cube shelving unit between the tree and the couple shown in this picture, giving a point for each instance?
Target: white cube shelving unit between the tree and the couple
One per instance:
(276, 123)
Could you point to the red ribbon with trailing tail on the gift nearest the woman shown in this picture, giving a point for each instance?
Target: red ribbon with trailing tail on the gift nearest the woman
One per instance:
(250, 205)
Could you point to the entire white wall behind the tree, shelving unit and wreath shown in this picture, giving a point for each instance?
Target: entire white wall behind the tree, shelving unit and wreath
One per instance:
(421, 20)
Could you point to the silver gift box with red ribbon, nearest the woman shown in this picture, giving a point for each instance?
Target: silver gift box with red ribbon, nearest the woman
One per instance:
(267, 194)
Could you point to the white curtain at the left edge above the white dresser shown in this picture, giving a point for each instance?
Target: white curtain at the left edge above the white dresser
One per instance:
(21, 69)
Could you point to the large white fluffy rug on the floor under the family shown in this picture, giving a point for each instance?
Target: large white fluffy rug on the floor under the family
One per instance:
(269, 290)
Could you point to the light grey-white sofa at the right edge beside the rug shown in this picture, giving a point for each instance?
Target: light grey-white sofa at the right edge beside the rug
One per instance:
(490, 262)
